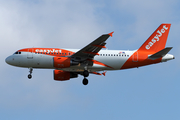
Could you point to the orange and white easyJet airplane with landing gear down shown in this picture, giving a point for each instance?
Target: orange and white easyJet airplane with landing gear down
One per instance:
(69, 63)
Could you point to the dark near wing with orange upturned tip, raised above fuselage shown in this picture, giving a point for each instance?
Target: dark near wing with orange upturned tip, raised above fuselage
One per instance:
(92, 49)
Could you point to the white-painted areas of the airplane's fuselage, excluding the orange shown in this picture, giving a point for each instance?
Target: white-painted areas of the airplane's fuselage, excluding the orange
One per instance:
(109, 59)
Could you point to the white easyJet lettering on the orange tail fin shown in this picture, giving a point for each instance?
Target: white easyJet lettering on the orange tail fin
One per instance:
(156, 38)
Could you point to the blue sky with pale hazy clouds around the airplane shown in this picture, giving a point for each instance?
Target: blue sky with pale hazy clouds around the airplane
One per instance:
(147, 93)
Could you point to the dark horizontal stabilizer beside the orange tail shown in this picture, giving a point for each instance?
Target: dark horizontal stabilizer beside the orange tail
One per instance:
(160, 54)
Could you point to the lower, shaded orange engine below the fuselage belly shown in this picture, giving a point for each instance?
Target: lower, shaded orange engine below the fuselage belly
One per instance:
(61, 75)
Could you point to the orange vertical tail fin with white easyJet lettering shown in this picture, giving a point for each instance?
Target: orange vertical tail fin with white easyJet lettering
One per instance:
(157, 40)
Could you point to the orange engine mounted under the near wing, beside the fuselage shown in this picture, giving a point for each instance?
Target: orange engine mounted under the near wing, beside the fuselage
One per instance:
(63, 62)
